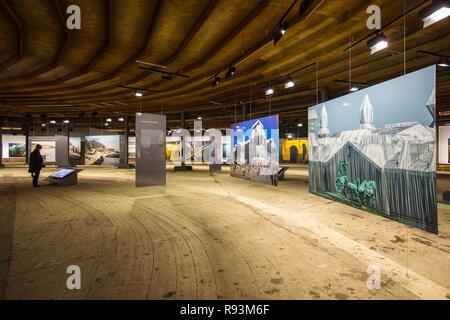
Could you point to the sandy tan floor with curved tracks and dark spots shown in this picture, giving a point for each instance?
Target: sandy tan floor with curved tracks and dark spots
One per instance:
(208, 236)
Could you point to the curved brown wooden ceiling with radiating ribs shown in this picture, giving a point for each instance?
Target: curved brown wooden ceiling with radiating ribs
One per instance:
(45, 68)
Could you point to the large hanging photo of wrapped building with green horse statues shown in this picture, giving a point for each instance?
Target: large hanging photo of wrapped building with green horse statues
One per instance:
(376, 149)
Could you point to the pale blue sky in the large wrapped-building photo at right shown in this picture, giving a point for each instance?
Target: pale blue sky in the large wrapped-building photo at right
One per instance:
(402, 99)
